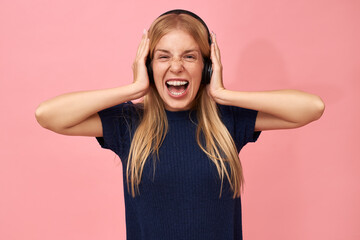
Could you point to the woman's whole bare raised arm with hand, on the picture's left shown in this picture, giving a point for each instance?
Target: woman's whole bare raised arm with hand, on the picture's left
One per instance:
(76, 113)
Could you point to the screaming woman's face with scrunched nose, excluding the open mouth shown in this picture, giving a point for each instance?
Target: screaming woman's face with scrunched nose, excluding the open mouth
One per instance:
(177, 56)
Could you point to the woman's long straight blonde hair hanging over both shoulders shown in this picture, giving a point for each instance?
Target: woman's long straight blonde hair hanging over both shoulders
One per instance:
(212, 136)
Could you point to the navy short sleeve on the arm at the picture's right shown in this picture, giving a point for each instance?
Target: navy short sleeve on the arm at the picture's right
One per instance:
(240, 123)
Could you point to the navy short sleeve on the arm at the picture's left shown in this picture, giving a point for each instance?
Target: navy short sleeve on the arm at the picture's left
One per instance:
(118, 123)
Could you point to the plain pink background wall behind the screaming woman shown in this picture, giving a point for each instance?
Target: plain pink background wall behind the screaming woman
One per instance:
(300, 184)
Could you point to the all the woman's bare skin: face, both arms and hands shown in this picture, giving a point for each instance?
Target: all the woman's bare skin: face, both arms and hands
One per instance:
(76, 113)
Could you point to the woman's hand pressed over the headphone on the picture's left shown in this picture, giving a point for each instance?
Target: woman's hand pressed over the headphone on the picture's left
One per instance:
(141, 78)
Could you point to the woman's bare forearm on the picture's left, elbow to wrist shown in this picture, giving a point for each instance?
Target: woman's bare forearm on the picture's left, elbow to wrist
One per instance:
(70, 109)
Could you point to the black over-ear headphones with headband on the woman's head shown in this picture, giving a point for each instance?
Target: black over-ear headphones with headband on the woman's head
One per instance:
(207, 70)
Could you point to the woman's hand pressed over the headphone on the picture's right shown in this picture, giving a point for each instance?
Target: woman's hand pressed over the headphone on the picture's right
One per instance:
(216, 86)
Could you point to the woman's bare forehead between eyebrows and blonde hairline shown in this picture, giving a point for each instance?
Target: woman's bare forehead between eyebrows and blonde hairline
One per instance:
(177, 40)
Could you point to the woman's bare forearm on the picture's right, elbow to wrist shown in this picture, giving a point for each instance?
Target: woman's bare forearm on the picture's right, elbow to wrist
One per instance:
(289, 105)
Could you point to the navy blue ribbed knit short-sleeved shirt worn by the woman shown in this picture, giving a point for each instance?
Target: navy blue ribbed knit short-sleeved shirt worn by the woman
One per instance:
(179, 197)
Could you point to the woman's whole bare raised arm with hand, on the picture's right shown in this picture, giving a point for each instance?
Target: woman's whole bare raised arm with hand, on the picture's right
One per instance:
(278, 109)
